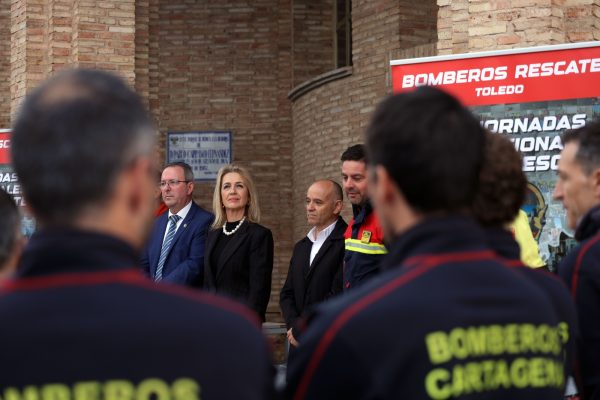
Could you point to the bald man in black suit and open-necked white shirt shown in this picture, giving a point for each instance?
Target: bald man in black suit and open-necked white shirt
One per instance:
(315, 272)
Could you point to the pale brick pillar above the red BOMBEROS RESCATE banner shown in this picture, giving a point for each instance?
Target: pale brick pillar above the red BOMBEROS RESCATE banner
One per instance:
(478, 25)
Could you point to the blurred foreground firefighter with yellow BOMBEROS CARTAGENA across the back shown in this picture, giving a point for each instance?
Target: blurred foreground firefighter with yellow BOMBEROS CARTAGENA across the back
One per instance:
(447, 318)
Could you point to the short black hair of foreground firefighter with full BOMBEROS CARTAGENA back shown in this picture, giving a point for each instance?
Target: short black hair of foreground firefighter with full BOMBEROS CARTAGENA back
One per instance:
(431, 146)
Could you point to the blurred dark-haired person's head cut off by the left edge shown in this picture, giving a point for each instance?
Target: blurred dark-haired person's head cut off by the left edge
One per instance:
(11, 238)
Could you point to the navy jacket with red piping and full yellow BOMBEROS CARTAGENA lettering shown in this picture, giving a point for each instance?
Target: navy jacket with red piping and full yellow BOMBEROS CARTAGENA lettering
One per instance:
(448, 319)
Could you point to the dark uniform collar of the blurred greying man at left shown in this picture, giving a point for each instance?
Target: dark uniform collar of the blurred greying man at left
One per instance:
(65, 250)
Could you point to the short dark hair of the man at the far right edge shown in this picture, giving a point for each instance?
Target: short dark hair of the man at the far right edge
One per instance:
(588, 138)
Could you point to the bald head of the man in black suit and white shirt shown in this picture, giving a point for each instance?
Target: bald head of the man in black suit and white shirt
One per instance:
(323, 203)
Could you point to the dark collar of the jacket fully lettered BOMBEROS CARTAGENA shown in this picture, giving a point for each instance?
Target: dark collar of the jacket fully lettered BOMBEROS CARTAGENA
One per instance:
(435, 235)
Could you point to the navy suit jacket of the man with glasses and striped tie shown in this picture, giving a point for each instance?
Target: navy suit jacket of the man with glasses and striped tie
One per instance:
(185, 261)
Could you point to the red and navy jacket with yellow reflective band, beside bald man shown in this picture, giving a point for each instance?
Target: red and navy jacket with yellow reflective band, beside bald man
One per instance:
(364, 246)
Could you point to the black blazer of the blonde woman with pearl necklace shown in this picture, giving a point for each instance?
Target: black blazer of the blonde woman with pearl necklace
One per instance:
(245, 271)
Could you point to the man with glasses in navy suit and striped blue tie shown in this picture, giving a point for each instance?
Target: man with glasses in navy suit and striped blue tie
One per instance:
(175, 251)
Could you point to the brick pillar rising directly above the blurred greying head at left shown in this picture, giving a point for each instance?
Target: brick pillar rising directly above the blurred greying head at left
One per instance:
(47, 35)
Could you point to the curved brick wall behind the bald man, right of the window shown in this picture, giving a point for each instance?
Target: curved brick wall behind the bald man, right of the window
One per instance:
(332, 117)
